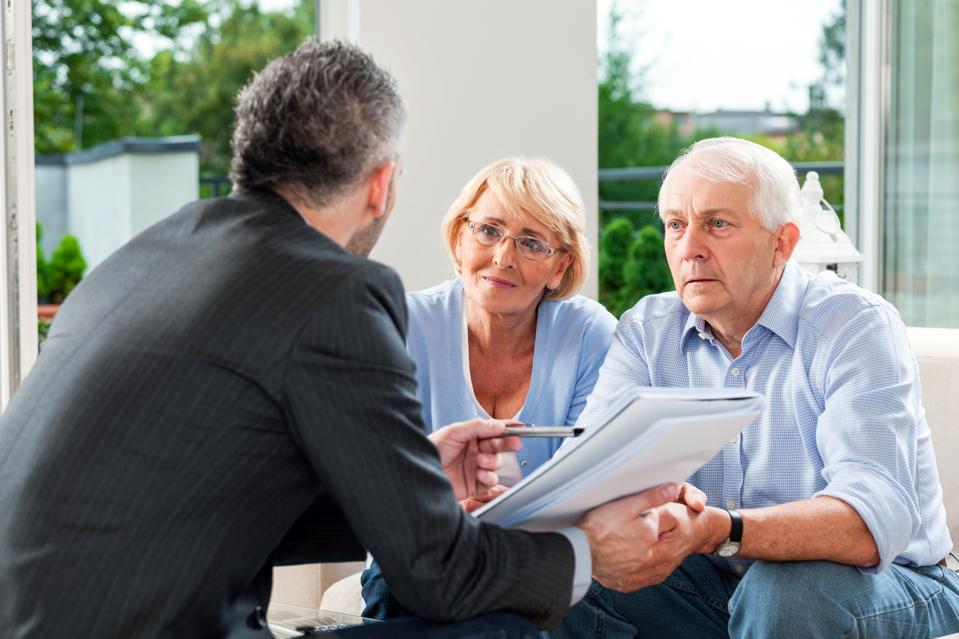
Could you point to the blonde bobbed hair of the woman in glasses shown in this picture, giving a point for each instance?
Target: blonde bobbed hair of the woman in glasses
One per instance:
(534, 187)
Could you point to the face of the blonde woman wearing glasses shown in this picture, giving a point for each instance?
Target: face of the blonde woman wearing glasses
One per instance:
(499, 279)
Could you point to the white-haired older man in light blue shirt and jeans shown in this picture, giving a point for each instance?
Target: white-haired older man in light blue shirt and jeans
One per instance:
(826, 515)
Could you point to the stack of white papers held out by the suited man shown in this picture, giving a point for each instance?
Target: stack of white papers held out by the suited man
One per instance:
(650, 436)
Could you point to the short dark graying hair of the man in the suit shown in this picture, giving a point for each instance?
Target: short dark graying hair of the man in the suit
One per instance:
(315, 122)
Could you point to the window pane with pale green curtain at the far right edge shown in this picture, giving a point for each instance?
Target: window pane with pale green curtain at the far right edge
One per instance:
(919, 236)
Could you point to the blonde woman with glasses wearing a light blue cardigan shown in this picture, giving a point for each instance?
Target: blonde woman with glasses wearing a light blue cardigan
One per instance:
(509, 338)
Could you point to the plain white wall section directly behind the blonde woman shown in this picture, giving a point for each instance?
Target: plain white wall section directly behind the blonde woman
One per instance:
(481, 80)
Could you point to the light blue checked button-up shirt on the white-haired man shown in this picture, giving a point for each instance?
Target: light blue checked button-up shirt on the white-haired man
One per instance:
(844, 416)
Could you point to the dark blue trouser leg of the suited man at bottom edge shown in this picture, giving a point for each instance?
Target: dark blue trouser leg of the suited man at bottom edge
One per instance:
(496, 625)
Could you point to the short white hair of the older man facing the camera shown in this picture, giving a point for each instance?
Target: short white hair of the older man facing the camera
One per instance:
(776, 197)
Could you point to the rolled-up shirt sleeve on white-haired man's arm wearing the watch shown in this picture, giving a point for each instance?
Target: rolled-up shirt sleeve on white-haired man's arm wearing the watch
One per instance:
(867, 432)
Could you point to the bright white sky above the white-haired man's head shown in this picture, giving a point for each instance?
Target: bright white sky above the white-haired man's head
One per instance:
(704, 55)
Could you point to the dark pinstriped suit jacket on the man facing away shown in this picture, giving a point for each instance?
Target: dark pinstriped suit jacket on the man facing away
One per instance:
(198, 392)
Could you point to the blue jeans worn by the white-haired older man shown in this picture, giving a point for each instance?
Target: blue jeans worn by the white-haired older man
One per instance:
(792, 599)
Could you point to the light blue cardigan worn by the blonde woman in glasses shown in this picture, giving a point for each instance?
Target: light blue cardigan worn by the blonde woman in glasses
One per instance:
(572, 337)
